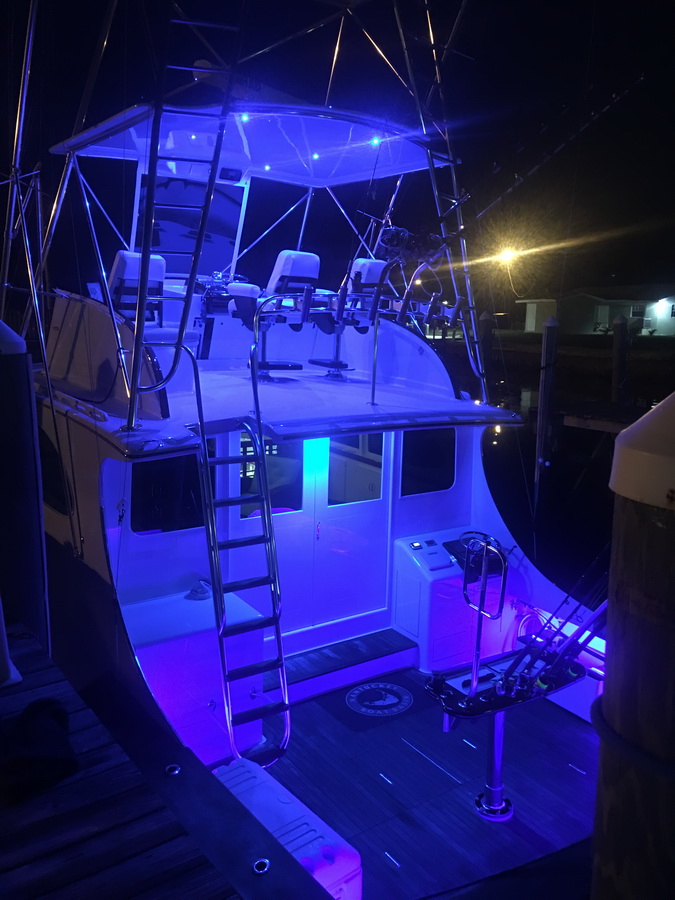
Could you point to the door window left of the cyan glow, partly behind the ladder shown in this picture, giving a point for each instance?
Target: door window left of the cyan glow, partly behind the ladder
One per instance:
(284, 474)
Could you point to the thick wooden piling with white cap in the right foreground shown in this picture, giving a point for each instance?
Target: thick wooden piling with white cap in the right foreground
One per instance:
(634, 840)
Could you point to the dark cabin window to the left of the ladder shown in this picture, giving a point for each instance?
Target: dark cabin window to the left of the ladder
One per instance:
(165, 495)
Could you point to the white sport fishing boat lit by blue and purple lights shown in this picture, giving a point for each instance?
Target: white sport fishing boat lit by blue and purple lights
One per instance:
(271, 542)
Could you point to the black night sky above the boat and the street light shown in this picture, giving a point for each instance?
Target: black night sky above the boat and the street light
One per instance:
(560, 113)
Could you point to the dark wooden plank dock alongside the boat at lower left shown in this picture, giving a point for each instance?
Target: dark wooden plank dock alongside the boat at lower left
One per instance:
(102, 832)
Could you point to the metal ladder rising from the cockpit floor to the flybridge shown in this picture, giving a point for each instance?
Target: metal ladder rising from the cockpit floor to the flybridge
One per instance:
(251, 706)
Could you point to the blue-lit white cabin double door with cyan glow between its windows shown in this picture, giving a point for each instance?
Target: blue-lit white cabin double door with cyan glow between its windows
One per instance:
(331, 499)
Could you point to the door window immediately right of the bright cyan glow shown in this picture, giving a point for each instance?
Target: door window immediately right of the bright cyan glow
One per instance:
(355, 468)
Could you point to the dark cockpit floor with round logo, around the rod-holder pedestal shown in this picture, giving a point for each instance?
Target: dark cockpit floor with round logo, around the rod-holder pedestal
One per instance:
(402, 793)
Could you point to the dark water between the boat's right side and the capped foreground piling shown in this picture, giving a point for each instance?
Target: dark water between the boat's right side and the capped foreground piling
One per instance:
(567, 531)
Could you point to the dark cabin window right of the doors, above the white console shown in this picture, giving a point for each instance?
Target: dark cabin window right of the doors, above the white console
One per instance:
(428, 462)
